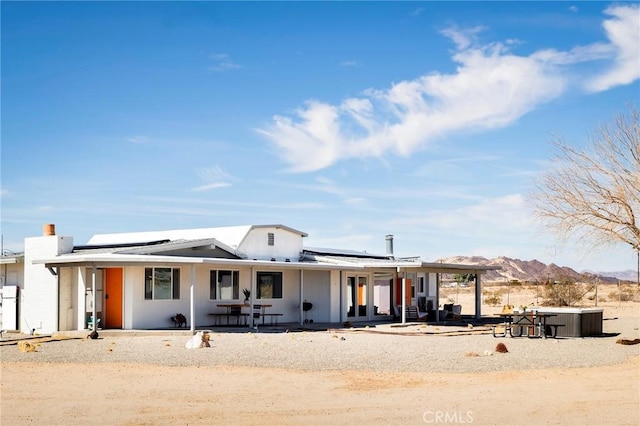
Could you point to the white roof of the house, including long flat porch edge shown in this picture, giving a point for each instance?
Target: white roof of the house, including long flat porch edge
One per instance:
(219, 246)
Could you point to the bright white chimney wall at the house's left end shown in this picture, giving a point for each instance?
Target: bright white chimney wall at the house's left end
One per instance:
(39, 301)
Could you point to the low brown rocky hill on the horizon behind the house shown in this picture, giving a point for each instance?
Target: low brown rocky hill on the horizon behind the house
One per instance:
(531, 270)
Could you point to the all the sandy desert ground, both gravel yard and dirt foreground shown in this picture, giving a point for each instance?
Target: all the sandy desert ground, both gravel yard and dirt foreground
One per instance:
(377, 373)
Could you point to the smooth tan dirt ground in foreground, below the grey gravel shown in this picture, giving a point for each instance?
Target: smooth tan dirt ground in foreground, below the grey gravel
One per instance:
(135, 394)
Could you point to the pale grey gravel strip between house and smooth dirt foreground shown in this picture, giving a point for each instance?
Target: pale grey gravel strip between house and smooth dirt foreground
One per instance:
(381, 349)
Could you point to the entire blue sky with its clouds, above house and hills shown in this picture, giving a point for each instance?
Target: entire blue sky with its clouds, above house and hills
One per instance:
(346, 120)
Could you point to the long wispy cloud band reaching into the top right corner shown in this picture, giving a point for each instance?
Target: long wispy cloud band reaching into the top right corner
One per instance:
(492, 87)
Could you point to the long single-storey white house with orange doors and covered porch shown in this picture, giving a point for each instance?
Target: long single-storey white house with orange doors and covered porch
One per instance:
(139, 280)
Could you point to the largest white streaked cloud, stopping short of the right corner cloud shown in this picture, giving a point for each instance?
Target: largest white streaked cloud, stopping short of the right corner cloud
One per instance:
(490, 88)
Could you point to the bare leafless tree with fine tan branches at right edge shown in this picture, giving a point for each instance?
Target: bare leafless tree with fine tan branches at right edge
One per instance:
(593, 194)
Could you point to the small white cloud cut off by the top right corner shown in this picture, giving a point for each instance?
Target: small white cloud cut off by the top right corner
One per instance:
(623, 30)
